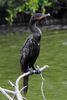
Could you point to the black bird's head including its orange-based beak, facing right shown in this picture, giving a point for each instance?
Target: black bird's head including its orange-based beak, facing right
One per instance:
(37, 17)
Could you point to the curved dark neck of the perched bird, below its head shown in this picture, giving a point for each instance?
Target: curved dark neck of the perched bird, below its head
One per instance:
(36, 32)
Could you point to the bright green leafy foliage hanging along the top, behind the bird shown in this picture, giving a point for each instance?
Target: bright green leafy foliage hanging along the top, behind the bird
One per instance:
(27, 6)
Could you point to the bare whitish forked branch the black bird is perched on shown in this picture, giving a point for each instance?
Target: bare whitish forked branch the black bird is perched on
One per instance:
(17, 92)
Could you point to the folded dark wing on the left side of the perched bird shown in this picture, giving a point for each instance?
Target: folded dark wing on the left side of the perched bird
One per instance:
(25, 52)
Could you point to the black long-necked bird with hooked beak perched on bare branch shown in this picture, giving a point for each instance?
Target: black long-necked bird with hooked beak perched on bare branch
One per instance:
(31, 47)
